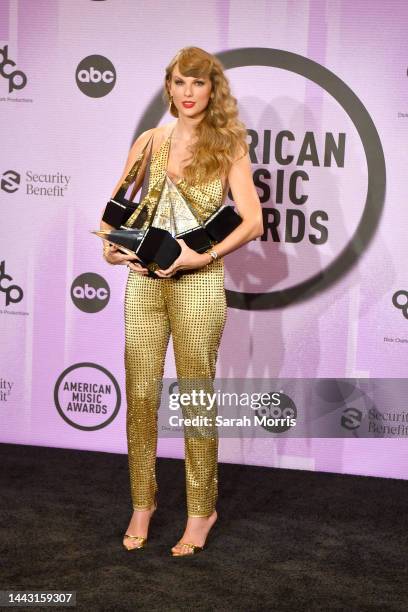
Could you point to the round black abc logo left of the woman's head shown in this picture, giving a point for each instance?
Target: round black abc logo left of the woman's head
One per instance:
(95, 76)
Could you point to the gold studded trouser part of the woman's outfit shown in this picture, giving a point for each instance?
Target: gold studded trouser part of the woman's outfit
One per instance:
(193, 310)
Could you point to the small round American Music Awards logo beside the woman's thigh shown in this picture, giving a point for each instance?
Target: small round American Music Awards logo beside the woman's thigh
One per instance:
(87, 396)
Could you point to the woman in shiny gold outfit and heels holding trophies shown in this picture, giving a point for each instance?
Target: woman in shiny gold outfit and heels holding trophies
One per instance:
(197, 156)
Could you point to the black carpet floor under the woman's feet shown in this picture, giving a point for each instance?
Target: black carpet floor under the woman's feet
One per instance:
(284, 539)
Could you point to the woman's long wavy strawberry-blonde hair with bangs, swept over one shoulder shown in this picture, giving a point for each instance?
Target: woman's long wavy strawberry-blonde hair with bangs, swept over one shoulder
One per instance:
(221, 136)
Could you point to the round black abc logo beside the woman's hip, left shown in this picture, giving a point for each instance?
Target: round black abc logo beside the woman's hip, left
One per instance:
(90, 292)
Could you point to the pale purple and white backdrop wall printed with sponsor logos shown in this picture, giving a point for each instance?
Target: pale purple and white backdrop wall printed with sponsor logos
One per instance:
(322, 87)
